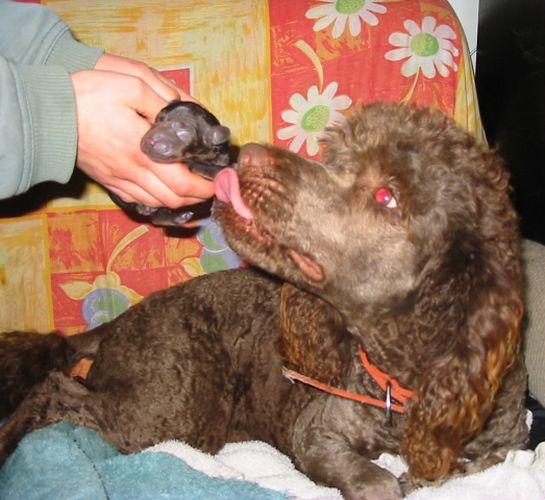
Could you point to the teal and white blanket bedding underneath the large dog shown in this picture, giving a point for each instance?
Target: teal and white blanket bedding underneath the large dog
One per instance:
(63, 461)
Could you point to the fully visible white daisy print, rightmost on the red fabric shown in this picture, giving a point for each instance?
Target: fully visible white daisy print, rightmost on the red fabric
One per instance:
(428, 48)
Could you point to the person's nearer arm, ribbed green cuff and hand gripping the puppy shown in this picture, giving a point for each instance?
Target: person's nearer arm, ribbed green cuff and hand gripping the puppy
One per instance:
(41, 133)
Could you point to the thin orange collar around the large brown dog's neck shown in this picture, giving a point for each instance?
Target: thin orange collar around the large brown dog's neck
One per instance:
(384, 381)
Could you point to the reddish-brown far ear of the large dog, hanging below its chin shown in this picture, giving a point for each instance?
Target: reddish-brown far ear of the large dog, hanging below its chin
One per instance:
(312, 334)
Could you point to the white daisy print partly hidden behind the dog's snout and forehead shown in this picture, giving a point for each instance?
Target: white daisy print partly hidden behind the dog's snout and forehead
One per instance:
(311, 115)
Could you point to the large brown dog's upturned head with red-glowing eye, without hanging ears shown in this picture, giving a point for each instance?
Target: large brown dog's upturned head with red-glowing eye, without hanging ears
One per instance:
(396, 186)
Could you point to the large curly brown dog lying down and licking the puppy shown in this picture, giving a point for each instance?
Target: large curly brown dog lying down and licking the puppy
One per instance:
(402, 240)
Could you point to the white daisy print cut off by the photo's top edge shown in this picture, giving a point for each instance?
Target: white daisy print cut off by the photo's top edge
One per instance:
(341, 12)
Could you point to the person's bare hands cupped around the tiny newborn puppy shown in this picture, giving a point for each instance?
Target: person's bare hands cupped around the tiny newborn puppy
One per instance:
(115, 109)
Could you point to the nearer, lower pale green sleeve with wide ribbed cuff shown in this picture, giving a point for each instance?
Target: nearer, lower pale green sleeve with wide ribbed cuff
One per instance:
(38, 124)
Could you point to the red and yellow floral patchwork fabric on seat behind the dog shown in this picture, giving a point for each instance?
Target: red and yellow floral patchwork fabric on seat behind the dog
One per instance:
(276, 71)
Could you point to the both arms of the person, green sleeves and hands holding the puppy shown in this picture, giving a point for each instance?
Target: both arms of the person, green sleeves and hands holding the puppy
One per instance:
(38, 113)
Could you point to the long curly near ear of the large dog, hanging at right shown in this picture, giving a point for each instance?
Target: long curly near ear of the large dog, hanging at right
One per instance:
(478, 285)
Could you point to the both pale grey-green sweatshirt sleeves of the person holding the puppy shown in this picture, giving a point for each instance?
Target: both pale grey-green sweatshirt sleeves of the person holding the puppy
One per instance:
(38, 122)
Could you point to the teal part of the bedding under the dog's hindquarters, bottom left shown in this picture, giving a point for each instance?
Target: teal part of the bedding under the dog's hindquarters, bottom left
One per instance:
(67, 462)
